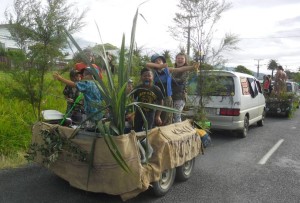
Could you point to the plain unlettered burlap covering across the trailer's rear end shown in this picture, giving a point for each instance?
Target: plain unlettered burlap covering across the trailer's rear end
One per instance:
(106, 175)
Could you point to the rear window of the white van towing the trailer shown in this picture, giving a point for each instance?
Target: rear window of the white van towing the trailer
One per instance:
(215, 85)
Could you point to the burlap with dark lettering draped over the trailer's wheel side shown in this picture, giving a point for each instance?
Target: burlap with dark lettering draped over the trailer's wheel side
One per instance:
(173, 145)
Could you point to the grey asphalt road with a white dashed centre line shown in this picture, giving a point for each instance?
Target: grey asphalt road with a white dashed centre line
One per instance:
(229, 171)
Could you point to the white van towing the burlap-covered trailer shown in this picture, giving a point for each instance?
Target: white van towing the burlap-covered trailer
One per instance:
(236, 102)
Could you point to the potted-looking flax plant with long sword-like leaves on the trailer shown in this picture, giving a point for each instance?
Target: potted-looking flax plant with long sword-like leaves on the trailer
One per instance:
(115, 97)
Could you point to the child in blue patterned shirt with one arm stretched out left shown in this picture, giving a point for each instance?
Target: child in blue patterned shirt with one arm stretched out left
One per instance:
(92, 95)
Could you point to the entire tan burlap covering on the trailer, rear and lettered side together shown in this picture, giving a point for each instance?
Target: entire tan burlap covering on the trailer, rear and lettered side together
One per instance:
(173, 145)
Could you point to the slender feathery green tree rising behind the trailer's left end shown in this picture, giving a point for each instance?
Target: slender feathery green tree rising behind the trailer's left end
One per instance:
(39, 26)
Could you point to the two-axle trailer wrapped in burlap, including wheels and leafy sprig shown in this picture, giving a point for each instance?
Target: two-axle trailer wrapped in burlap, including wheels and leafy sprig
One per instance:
(84, 159)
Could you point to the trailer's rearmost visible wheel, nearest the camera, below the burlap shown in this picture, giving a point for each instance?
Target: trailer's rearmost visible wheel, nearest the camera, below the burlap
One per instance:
(161, 187)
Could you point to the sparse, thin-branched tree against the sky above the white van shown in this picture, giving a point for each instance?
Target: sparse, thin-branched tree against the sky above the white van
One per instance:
(196, 24)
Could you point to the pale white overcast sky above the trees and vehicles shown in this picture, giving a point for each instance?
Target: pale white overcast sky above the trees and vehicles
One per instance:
(267, 29)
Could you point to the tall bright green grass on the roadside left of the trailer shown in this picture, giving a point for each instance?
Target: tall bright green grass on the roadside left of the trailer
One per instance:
(17, 118)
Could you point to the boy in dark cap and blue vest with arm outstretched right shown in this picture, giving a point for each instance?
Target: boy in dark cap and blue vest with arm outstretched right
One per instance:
(163, 79)
